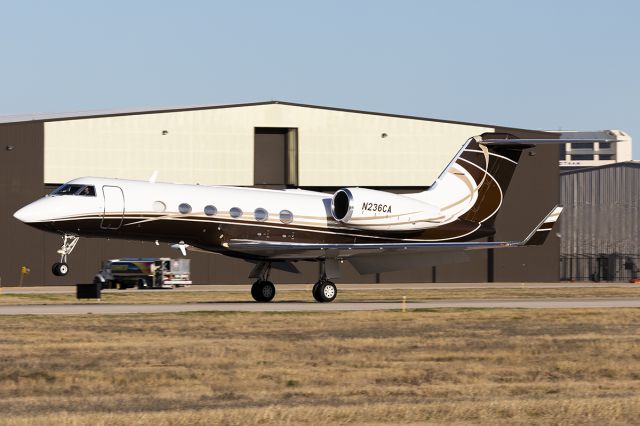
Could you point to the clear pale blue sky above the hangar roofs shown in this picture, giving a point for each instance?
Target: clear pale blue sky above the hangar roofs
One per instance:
(537, 64)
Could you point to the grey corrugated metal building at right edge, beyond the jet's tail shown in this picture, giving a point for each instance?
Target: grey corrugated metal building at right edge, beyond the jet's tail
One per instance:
(600, 224)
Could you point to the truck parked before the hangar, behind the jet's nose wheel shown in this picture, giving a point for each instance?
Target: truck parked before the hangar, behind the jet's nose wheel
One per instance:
(144, 273)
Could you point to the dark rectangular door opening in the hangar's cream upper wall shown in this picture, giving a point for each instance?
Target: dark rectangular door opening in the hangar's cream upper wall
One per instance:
(275, 157)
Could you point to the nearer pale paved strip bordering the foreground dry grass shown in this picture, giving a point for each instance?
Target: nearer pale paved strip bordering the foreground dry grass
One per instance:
(97, 308)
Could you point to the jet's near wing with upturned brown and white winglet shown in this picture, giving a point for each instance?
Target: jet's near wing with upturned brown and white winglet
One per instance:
(382, 257)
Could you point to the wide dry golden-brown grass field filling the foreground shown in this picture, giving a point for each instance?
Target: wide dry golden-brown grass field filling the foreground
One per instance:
(440, 366)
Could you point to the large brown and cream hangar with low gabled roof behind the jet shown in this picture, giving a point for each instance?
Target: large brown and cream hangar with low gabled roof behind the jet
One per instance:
(268, 144)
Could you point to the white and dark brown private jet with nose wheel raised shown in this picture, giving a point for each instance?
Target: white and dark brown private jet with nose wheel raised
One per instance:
(375, 231)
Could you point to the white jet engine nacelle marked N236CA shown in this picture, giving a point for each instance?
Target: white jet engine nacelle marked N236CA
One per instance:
(378, 210)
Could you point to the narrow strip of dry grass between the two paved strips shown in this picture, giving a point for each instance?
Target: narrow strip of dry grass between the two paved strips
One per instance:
(344, 295)
